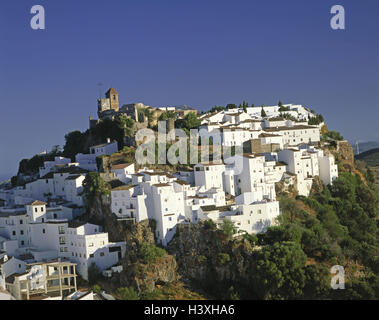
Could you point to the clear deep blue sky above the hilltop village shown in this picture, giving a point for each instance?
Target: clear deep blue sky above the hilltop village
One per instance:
(198, 53)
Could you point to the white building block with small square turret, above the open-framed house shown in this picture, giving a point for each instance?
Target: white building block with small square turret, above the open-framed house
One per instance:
(46, 233)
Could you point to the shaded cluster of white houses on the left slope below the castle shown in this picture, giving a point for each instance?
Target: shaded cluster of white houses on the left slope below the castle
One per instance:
(37, 226)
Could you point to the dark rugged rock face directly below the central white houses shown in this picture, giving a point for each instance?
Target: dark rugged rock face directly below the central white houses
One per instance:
(210, 261)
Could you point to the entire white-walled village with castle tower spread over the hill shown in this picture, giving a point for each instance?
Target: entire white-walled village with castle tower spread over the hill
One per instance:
(43, 250)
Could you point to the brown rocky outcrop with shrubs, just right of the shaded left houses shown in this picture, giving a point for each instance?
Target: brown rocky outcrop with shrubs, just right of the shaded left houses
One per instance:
(143, 277)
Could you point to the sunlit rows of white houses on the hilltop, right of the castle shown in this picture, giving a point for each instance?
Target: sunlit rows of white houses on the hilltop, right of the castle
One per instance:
(277, 128)
